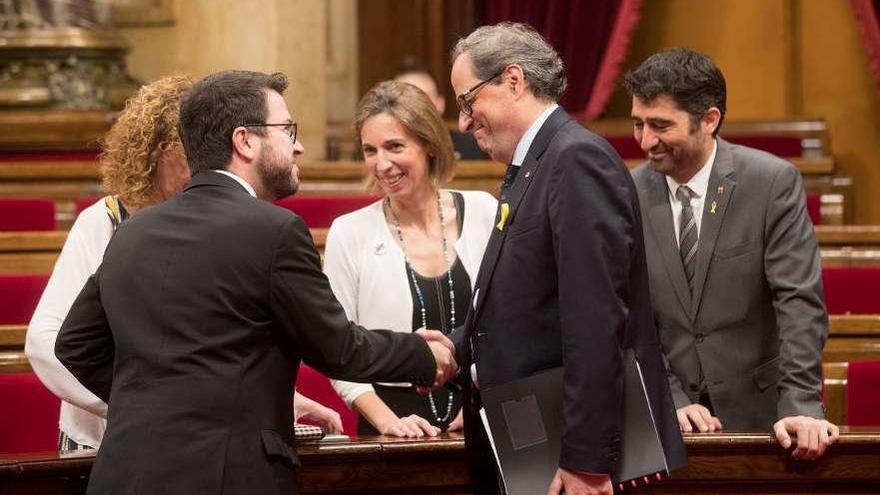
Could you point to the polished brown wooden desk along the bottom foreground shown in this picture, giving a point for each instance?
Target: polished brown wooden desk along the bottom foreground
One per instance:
(718, 463)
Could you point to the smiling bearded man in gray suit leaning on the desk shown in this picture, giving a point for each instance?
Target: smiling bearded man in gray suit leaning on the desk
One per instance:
(734, 266)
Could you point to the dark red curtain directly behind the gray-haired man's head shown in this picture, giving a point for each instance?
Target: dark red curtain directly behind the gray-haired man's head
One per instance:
(591, 36)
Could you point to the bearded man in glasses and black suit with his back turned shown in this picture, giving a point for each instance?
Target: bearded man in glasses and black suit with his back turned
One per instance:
(194, 326)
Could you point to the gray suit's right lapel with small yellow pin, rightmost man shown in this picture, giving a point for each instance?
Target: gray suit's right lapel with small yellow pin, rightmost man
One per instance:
(721, 185)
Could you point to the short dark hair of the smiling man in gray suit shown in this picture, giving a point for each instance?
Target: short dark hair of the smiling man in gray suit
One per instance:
(690, 78)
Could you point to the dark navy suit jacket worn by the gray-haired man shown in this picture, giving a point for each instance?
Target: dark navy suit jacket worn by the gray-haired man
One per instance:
(565, 283)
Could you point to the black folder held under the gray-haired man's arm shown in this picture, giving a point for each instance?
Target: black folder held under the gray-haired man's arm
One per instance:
(526, 420)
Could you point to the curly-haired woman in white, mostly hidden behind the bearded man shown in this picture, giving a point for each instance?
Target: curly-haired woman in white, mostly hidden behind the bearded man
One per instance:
(142, 164)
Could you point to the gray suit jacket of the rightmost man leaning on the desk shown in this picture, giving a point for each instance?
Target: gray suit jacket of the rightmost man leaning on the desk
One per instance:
(756, 322)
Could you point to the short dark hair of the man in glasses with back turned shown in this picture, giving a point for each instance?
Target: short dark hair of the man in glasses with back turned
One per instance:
(218, 104)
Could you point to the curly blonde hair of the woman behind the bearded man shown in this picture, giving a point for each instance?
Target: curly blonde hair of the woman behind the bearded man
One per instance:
(146, 128)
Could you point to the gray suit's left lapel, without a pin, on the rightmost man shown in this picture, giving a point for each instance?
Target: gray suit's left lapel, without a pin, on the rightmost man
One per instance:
(660, 213)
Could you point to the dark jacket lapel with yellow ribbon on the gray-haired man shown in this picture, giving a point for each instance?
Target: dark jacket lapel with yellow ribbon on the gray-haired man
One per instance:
(514, 198)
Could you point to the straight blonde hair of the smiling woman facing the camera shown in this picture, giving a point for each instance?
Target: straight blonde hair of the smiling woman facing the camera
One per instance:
(415, 111)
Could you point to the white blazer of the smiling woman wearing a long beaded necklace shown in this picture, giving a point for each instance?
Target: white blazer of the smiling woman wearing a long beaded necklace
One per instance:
(367, 271)
